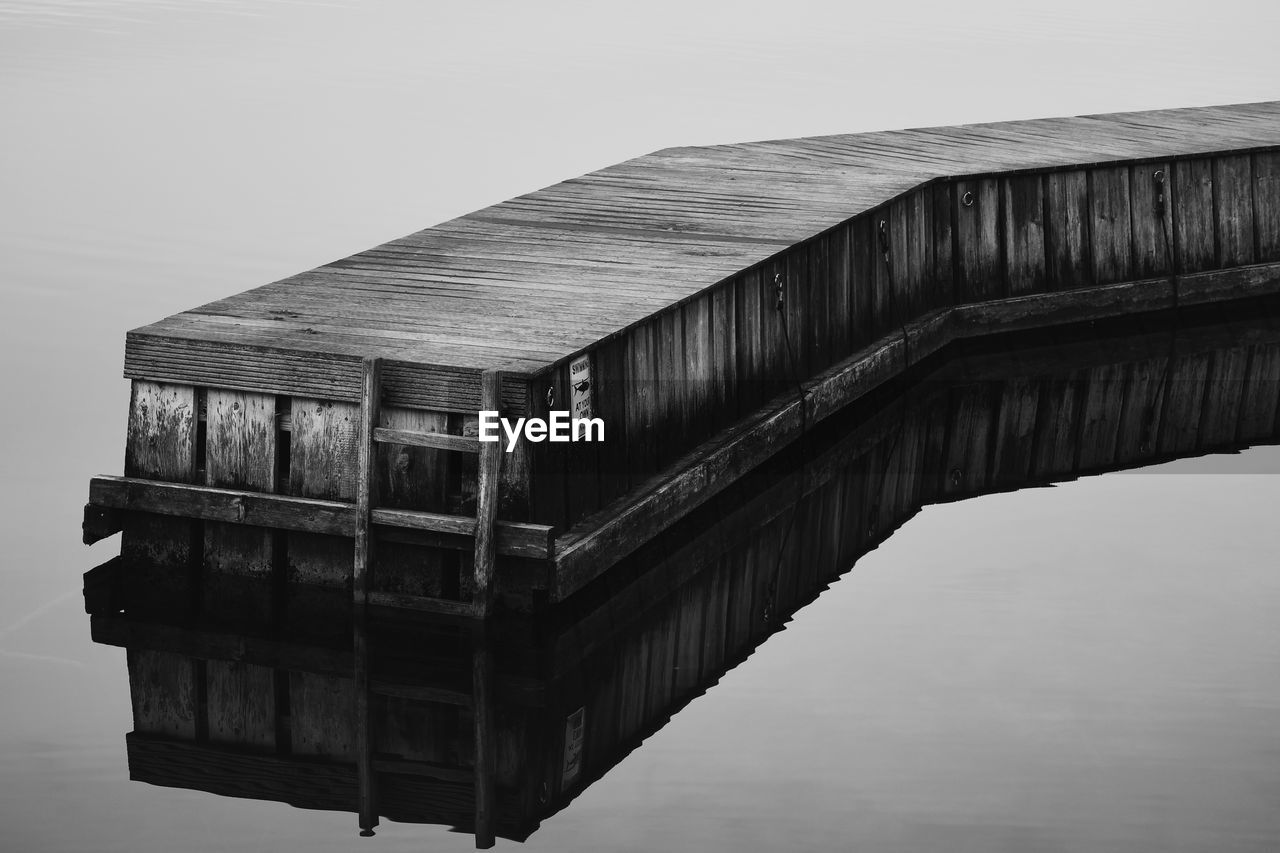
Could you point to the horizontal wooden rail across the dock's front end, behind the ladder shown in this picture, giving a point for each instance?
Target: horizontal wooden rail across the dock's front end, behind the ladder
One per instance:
(289, 513)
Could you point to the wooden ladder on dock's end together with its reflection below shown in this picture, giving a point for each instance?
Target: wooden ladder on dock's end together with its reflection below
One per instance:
(482, 676)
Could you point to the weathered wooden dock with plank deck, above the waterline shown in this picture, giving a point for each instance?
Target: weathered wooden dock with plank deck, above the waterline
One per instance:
(724, 299)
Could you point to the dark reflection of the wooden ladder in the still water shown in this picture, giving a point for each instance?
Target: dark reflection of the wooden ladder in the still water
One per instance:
(479, 700)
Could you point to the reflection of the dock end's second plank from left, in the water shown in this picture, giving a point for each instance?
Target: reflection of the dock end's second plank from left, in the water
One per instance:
(241, 705)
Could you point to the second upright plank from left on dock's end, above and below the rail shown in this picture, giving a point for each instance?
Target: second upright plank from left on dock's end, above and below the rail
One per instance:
(240, 453)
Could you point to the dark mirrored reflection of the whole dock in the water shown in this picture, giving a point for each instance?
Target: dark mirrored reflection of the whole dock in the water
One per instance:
(495, 726)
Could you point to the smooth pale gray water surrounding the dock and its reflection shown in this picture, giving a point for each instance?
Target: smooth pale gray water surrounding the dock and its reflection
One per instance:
(1089, 668)
